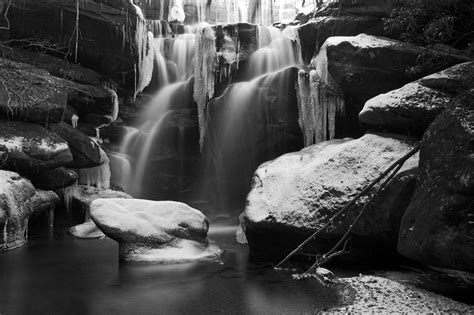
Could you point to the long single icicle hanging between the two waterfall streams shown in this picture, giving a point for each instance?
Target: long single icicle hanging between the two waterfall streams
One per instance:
(204, 71)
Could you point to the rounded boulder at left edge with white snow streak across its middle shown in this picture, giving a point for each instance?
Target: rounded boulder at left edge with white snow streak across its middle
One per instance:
(29, 147)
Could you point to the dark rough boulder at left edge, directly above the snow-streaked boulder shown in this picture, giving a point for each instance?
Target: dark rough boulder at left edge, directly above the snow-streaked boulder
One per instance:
(30, 94)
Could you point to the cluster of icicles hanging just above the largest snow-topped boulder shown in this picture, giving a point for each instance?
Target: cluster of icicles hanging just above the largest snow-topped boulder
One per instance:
(319, 101)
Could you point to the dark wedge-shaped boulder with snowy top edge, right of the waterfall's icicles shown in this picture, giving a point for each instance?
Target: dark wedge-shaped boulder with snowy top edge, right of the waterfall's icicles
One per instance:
(356, 68)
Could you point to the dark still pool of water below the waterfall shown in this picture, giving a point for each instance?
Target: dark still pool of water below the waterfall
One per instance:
(55, 273)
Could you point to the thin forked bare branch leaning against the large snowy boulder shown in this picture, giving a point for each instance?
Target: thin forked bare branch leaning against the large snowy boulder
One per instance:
(395, 166)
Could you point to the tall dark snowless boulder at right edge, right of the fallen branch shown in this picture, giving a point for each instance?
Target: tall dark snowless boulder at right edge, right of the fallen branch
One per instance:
(437, 228)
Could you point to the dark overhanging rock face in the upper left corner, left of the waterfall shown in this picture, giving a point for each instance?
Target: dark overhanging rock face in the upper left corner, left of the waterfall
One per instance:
(107, 41)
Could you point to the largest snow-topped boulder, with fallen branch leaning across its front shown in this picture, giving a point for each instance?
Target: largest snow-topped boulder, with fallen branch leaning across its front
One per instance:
(299, 192)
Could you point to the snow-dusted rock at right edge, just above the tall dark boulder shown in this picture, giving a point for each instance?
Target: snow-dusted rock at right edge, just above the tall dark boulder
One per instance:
(414, 106)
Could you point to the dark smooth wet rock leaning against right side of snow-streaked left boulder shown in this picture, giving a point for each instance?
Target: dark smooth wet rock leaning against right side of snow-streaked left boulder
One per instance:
(85, 151)
